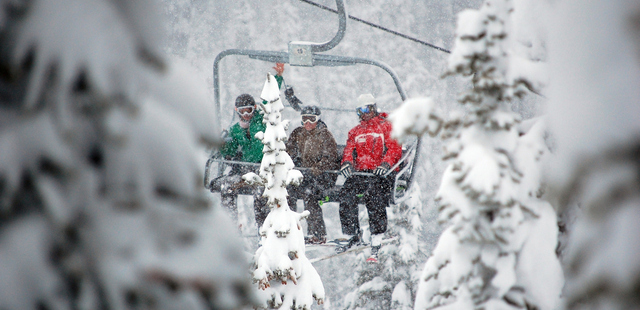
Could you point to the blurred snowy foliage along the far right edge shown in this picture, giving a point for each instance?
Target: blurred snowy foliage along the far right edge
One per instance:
(594, 108)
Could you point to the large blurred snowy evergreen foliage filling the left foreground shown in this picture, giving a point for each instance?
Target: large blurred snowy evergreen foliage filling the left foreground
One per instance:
(101, 201)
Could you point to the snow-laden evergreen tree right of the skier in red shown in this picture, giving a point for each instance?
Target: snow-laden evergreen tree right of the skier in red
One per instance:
(498, 251)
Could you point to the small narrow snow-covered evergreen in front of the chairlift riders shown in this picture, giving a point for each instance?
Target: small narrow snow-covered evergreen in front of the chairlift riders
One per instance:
(282, 270)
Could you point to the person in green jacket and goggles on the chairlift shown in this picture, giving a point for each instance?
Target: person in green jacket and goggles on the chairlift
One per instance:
(242, 145)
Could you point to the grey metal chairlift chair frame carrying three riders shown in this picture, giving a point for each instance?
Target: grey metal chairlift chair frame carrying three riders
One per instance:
(307, 54)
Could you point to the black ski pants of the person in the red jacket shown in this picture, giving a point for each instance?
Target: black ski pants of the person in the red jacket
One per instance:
(376, 192)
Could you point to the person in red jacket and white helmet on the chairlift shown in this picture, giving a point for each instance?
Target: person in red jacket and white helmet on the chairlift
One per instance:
(369, 148)
